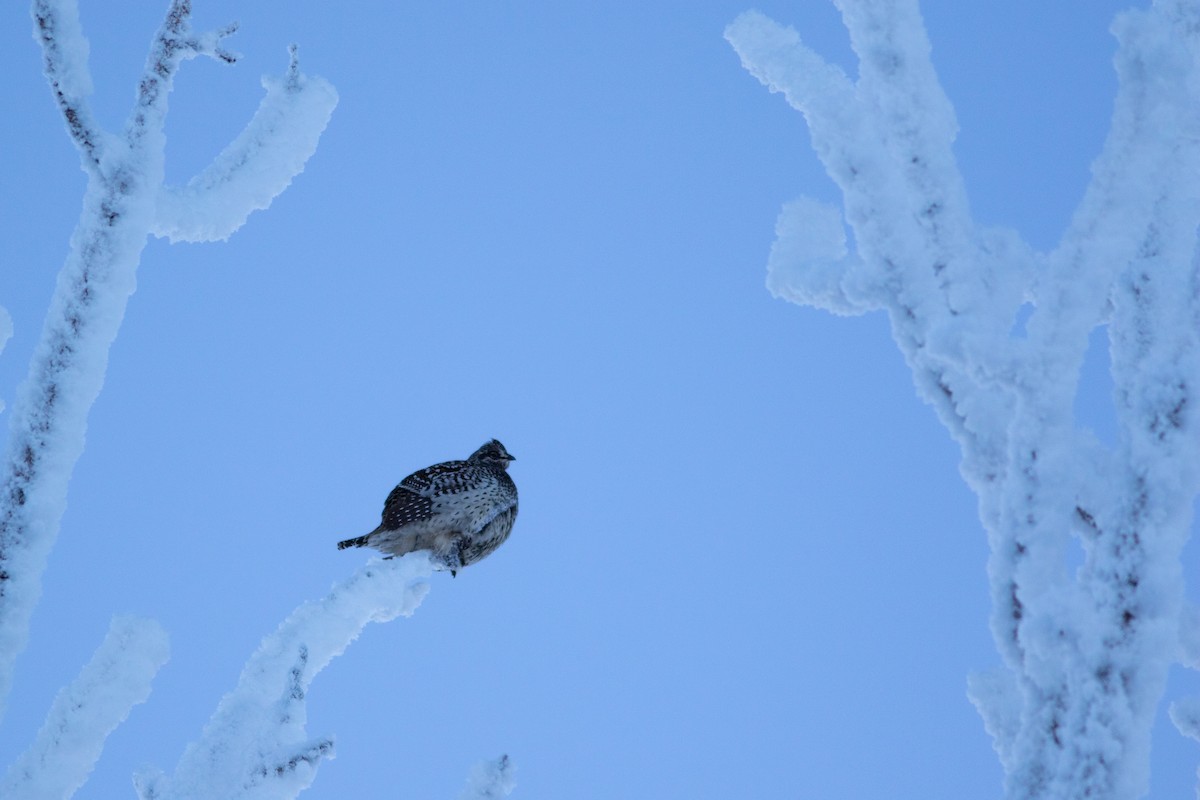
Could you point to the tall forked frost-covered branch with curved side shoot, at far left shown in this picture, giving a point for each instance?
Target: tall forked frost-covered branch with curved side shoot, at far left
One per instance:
(125, 175)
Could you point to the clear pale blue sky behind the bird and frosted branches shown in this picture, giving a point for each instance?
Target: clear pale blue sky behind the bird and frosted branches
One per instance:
(746, 564)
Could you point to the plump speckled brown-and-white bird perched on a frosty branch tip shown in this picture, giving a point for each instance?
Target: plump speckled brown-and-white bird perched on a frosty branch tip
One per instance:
(459, 510)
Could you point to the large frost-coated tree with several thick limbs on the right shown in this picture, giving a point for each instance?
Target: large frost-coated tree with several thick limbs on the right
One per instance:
(1087, 653)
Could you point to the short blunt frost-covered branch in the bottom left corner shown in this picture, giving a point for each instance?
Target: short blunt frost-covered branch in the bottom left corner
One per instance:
(86, 712)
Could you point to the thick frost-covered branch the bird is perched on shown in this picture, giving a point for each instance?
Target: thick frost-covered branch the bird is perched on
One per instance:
(255, 745)
